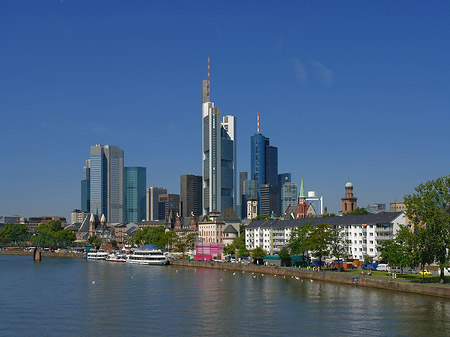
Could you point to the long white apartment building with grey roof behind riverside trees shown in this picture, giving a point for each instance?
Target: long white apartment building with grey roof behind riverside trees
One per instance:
(365, 233)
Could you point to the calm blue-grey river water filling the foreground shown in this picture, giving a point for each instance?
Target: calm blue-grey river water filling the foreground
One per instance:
(75, 297)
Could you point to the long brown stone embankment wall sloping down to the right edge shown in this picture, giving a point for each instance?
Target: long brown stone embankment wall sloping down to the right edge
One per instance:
(328, 276)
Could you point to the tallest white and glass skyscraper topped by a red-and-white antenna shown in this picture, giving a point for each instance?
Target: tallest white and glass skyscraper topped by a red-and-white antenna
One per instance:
(218, 155)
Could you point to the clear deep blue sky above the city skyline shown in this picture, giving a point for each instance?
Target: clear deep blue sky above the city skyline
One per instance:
(357, 89)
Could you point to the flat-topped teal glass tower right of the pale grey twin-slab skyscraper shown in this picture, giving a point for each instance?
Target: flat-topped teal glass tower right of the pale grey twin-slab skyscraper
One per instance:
(135, 182)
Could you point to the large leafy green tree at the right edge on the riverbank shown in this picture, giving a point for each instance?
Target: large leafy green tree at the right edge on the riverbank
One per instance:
(429, 209)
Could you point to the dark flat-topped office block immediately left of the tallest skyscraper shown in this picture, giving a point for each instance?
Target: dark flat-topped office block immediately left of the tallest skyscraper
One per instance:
(190, 195)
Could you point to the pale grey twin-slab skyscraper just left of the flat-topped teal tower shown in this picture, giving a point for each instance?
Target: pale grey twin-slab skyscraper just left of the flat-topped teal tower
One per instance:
(106, 182)
